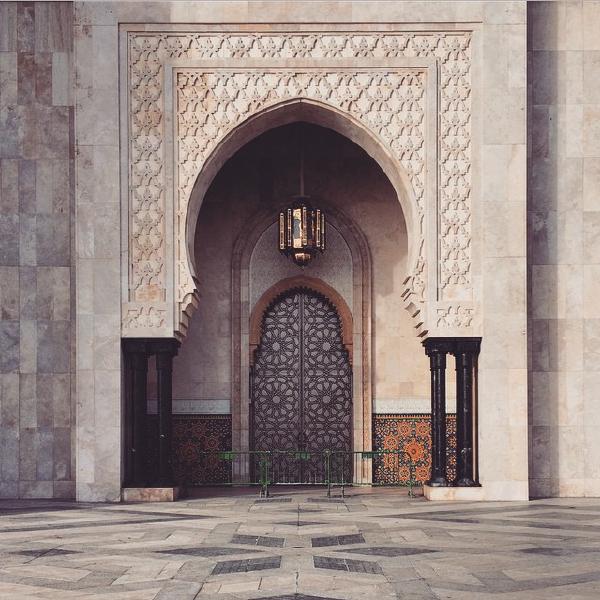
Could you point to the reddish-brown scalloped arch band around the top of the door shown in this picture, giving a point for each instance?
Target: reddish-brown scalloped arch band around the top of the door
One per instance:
(300, 282)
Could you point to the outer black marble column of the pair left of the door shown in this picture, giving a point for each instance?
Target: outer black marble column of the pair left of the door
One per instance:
(136, 376)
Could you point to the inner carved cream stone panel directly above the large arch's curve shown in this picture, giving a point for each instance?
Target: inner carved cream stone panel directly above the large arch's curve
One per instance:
(390, 103)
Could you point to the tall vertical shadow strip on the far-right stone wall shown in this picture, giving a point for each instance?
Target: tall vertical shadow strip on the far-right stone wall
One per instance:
(544, 198)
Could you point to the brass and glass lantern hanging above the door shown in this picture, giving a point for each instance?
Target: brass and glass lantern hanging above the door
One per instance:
(301, 231)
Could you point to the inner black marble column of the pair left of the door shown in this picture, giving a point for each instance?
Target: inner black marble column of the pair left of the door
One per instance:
(165, 350)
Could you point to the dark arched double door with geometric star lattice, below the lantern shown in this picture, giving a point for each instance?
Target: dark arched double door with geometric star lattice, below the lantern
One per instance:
(302, 384)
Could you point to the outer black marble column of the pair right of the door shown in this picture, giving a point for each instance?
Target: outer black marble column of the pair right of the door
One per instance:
(465, 352)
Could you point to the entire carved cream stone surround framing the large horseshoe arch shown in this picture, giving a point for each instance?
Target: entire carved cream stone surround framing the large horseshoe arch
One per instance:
(188, 91)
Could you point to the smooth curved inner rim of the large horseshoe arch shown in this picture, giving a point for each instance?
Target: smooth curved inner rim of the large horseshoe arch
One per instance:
(331, 117)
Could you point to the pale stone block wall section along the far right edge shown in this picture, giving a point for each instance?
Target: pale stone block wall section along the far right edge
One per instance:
(564, 247)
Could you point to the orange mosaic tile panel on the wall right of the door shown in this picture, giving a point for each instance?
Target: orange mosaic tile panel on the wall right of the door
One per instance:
(412, 434)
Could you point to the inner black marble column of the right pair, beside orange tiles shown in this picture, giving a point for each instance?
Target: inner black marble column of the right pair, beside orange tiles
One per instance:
(436, 349)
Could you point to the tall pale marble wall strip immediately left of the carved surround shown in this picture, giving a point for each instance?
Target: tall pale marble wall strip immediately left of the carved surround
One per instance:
(95, 93)
